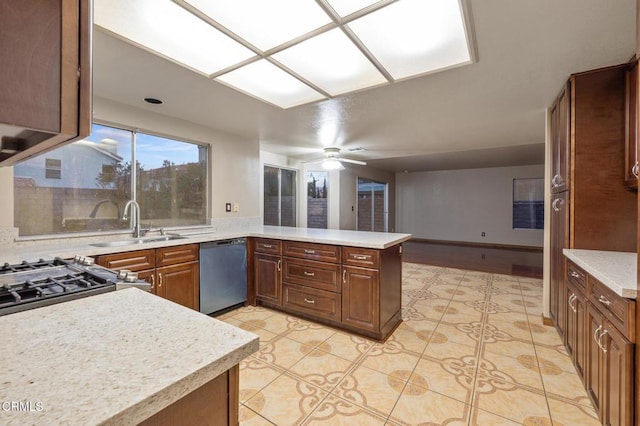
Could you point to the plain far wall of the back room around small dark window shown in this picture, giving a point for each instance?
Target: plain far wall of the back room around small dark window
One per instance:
(458, 205)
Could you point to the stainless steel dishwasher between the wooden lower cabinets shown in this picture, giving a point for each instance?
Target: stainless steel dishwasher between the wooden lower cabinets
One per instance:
(223, 275)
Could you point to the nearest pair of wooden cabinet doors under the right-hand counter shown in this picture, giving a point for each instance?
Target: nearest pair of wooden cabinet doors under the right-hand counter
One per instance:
(610, 370)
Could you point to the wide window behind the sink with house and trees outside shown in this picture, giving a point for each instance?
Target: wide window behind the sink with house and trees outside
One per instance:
(98, 175)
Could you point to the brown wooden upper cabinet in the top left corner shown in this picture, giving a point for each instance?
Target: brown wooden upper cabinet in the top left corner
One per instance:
(45, 83)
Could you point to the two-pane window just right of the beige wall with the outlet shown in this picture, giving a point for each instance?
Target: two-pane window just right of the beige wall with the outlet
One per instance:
(279, 196)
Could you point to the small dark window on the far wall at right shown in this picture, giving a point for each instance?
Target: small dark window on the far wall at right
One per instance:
(528, 203)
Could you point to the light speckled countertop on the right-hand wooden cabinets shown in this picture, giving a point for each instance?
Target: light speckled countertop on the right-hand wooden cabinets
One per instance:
(616, 270)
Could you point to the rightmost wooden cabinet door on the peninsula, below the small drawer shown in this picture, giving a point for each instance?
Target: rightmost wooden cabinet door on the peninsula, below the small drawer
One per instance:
(361, 298)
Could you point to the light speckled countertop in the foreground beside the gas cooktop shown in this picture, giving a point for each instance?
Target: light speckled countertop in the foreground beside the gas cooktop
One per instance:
(114, 358)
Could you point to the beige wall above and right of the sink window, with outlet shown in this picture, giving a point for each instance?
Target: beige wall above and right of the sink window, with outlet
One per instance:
(235, 163)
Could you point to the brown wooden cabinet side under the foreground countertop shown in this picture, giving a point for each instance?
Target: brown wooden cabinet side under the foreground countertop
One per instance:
(215, 403)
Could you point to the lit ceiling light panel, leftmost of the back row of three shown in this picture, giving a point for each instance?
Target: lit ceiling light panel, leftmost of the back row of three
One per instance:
(266, 81)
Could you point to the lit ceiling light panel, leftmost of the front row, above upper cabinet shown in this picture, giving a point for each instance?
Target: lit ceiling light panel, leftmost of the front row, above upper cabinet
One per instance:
(168, 29)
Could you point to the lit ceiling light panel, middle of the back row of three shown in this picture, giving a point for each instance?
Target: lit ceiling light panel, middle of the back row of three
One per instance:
(332, 62)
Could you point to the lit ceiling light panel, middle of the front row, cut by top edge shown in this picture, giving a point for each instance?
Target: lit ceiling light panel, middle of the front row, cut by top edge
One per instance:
(265, 24)
